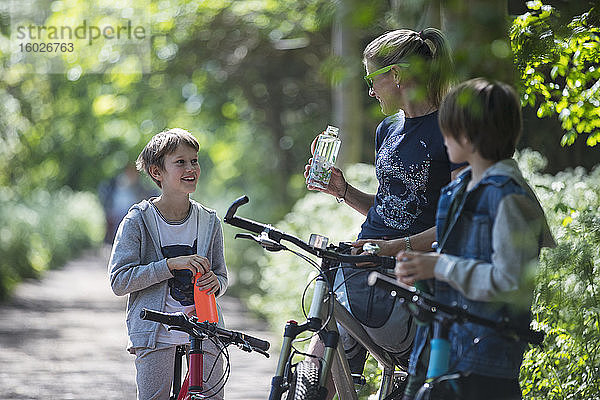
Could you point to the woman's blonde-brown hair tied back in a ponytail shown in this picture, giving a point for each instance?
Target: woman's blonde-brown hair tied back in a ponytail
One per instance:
(427, 51)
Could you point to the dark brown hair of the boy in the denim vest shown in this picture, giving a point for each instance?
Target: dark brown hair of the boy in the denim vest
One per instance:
(487, 112)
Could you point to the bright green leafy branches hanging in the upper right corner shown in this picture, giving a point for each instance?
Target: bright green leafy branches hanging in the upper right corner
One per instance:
(557, 56)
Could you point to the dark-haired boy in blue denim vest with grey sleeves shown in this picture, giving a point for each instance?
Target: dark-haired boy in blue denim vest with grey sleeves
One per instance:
(490, 228)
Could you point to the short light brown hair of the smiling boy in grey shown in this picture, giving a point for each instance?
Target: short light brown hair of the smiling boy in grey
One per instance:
(160, 145)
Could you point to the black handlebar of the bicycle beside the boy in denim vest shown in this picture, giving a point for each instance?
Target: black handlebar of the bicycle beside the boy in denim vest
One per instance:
(432, 307)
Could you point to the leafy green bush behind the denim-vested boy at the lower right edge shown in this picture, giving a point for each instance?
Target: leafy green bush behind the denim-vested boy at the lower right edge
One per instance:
(567, 296)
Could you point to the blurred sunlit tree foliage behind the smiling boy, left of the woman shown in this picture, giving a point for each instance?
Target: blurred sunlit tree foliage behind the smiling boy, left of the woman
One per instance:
(242, 76)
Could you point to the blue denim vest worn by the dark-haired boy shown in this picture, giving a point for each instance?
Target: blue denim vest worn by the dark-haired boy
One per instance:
(468, 233)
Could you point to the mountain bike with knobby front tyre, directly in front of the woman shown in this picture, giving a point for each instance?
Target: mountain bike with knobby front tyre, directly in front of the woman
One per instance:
(306, 380)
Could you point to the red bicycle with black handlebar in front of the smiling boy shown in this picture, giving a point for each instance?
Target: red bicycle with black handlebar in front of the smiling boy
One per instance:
(193, 385)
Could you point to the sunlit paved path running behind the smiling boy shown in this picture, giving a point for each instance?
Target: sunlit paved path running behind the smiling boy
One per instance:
(64, 338)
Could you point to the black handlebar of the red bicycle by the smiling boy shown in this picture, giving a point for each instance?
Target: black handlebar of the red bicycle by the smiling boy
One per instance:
(182, 321)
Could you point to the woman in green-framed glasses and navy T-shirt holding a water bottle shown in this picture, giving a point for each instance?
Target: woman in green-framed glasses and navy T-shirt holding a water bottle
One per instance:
(408, 72)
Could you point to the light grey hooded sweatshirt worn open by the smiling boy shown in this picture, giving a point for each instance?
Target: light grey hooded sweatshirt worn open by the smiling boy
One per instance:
(137, 267)
